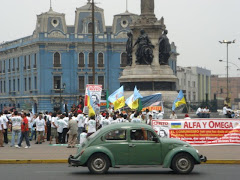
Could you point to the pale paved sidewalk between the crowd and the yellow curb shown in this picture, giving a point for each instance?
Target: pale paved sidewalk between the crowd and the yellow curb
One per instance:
(47, 152)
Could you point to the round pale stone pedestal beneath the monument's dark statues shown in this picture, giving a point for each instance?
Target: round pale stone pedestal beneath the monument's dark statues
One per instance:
(150, 80)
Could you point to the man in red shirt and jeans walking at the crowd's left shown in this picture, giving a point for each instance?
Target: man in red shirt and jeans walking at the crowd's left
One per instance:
(24, 130)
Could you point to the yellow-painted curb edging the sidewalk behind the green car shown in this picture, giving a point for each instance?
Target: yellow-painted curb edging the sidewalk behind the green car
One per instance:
(57, 161)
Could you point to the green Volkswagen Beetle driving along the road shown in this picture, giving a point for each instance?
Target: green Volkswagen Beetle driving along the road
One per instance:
(134, 144)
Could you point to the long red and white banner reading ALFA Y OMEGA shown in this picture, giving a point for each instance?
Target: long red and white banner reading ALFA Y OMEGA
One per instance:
(200, 131)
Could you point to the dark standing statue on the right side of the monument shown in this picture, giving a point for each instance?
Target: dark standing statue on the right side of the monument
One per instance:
(164, 49)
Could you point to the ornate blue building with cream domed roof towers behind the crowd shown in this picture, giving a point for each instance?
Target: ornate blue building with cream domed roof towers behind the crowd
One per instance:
(54, 64)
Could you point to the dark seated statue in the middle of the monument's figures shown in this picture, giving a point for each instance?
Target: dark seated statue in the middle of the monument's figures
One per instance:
(144, 51)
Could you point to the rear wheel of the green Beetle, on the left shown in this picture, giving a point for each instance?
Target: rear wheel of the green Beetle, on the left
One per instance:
(98, 164)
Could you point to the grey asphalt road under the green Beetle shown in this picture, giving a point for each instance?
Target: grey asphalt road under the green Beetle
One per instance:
(62, 172)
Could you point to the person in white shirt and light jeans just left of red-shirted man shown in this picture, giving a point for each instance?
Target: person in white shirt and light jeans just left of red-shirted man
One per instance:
(16, 128)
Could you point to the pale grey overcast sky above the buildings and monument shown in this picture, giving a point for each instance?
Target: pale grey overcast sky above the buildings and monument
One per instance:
(195, 26)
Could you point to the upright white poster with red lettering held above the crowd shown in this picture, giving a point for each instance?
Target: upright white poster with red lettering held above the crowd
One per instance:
(95, 91)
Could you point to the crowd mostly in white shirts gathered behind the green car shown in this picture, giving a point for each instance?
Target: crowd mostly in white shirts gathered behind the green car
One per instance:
(63, 128)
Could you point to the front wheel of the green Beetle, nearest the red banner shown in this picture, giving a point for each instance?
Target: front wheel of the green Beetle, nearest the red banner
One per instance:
(182, 163)
